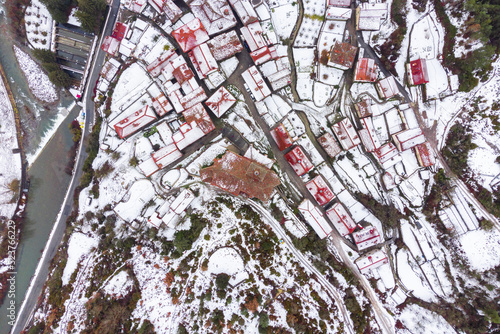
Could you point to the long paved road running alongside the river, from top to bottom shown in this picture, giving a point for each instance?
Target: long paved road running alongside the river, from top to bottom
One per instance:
(57, 233)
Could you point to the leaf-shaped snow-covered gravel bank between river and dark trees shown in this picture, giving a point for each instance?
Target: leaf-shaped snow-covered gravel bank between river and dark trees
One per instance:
(38, 81)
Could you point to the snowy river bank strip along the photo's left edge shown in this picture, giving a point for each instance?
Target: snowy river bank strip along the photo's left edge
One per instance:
(10, 164)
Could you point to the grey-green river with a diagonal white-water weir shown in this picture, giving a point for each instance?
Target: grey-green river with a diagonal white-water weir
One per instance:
(48, 179)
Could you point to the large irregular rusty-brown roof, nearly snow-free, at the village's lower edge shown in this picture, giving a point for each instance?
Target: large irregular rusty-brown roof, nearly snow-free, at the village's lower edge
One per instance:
(239, 175)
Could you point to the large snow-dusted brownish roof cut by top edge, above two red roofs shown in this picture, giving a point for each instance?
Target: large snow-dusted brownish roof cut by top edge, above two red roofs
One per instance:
(215, 15)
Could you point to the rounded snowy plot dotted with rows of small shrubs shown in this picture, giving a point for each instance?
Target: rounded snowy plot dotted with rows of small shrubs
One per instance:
(38, 22)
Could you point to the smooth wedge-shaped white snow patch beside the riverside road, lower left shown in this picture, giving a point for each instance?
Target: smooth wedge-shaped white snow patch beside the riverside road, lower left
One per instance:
(79, 247)
